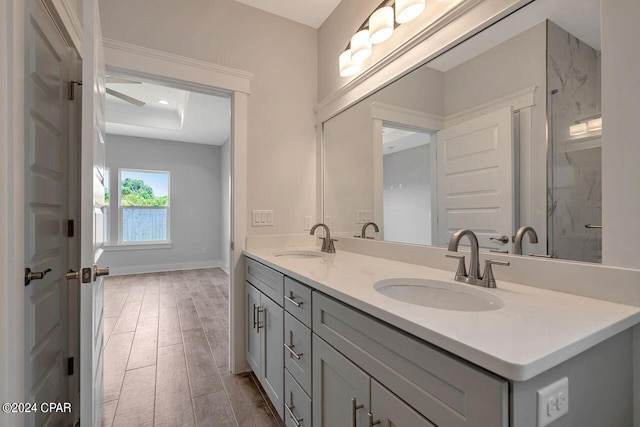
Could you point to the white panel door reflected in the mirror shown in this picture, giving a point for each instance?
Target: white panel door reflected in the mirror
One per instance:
(475, 179)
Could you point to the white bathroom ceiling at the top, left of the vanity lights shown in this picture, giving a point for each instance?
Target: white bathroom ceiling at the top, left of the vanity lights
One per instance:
(308, 12)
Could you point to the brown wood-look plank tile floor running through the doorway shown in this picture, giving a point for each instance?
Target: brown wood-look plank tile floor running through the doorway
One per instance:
(166, 354)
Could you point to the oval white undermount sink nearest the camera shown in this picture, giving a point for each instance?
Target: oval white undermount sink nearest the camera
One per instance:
(441, 295)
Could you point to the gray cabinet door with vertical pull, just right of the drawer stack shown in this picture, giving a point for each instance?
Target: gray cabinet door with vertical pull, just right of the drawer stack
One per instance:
(338, 385)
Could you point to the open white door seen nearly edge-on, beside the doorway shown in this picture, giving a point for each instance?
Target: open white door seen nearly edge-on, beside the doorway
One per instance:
(92, 204)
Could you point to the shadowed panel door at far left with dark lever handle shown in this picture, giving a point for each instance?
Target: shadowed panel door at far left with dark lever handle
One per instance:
(46, 138)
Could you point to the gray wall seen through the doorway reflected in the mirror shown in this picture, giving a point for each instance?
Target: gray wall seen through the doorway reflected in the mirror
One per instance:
(407, 196)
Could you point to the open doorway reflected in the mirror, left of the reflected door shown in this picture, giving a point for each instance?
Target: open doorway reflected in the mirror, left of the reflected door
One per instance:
(407, 168)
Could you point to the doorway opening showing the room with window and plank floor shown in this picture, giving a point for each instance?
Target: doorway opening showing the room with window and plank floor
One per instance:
(167, 241)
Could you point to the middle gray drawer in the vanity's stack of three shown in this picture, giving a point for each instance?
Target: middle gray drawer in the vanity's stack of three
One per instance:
(298, 338)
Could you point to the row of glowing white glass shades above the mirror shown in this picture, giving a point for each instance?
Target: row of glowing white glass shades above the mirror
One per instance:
(377, 28)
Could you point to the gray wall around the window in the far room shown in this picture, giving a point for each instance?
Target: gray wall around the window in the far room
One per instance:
(195, 200)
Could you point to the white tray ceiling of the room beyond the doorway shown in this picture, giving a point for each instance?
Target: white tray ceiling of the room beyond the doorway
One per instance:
(189, 116)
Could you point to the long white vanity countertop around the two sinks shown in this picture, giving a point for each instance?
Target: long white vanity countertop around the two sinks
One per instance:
(536, 330)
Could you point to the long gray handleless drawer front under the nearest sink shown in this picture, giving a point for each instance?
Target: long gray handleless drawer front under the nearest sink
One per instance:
(443, 388)
